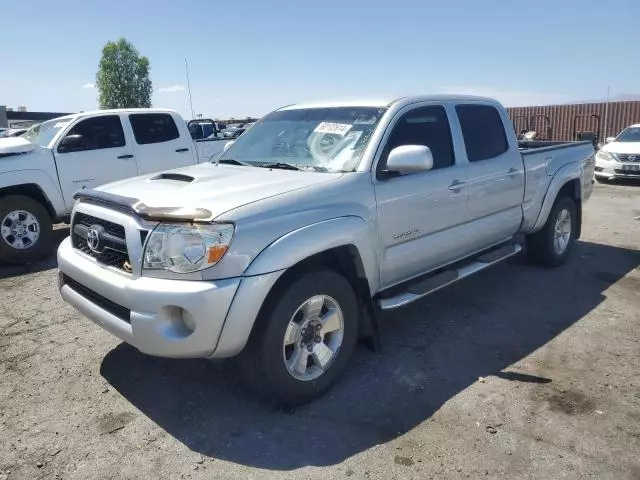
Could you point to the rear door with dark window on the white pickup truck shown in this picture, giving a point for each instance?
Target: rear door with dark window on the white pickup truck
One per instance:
(159, 143)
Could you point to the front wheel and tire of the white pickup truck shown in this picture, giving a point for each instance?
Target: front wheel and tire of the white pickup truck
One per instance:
(24, 212)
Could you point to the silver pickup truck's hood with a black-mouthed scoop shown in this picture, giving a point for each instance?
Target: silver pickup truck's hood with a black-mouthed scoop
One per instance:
(217, 189)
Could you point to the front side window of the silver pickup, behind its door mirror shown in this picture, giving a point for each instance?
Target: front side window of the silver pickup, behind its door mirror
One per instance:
(428, 126)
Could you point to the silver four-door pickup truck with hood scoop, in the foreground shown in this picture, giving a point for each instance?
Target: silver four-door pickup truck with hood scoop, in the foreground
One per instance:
(284, 250)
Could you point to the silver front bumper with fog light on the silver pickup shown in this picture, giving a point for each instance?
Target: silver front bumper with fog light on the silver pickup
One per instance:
(147, 312)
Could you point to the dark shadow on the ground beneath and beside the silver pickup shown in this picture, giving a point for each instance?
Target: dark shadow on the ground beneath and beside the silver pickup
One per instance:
(433, 350)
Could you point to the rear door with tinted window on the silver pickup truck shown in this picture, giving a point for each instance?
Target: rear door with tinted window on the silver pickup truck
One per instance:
(495, 174)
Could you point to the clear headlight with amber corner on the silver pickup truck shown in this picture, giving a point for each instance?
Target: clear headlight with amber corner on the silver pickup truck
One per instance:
(184, 248)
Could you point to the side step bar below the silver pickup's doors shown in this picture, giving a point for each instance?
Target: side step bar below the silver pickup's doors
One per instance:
(421, 288)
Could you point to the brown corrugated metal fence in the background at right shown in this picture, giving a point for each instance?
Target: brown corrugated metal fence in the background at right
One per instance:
(561, 119)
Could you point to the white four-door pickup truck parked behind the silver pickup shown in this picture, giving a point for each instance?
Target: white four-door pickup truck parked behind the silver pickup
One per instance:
(41, 170)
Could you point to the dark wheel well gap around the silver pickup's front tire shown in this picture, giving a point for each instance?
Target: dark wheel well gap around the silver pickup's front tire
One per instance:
(344, 260)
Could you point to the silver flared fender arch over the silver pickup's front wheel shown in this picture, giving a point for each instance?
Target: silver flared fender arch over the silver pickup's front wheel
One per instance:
(312, 239)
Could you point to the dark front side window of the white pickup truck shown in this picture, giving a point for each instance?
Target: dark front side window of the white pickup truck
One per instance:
(94, 134)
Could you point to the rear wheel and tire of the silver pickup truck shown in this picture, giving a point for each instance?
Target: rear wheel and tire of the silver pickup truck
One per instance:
(541, 246)
